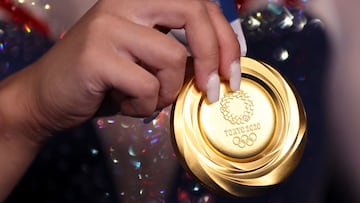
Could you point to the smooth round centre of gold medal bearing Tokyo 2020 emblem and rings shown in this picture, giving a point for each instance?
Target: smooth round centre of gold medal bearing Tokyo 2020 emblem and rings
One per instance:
(241, 124)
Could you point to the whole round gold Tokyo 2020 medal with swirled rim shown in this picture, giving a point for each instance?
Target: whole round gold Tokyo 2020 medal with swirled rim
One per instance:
(248, 140)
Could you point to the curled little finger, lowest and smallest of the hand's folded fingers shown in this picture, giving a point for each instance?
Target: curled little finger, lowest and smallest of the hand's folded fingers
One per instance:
(134, 88)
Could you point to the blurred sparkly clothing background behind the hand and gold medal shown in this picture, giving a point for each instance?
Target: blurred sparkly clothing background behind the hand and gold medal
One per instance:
(121, 159)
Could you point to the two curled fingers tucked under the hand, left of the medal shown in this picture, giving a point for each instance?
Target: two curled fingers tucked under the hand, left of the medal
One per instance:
(158, 80)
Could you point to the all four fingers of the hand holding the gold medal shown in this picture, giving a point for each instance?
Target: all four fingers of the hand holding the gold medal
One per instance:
(213, 44)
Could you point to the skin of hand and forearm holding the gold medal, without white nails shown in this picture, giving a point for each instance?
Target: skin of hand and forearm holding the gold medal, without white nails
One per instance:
(112, 55)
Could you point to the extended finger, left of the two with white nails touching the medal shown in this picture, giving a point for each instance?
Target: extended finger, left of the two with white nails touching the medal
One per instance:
(193, 16)
